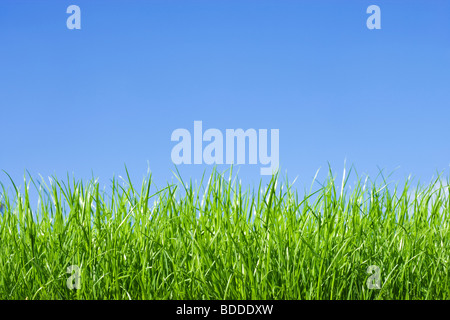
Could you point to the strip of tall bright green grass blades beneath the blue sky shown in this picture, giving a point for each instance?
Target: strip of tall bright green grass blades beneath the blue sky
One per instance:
(219, 241)
